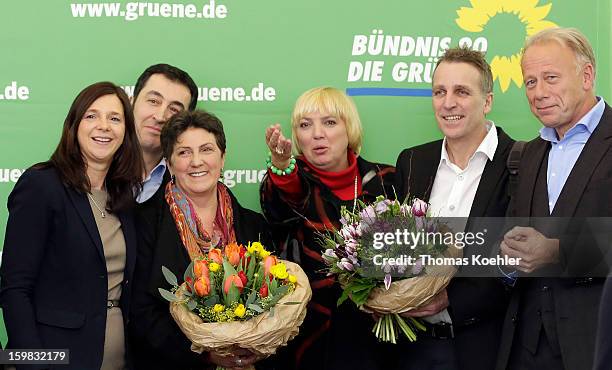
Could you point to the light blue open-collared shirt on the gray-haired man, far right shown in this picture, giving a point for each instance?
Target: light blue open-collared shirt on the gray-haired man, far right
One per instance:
(565, 152)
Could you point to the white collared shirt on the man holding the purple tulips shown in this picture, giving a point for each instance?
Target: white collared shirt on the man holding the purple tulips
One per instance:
(454, 189)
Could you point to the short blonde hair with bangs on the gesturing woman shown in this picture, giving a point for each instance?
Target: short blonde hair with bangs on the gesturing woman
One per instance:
(333, 101)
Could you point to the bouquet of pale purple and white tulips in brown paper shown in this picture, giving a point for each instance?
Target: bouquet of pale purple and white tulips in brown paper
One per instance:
(387, 288)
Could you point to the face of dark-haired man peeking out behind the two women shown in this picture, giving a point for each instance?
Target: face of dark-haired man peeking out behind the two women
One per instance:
(159, 100)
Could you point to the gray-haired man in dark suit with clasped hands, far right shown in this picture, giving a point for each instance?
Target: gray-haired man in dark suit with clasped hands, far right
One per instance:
(567, 172)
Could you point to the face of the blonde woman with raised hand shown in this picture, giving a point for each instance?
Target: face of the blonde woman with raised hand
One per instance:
(323, 140)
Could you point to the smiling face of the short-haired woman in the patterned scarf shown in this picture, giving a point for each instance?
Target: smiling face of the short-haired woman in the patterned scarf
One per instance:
(196, 162)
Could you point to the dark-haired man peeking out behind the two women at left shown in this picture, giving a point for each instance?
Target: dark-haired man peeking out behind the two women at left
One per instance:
(161, 92)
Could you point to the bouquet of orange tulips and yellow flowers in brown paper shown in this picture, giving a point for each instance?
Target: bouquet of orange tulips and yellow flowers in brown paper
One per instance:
(239, 296)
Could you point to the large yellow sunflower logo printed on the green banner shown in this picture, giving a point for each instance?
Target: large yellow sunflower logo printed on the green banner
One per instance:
(505, 68)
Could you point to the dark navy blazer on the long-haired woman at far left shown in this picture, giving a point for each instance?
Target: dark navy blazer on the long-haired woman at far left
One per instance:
(53, 277)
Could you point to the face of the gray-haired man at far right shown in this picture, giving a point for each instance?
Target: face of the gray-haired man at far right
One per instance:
(559, 91)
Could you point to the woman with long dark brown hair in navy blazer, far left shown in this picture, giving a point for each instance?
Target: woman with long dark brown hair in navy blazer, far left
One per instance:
(70, 244)
